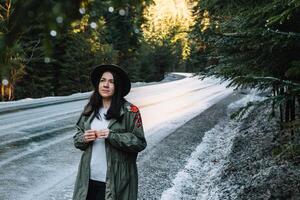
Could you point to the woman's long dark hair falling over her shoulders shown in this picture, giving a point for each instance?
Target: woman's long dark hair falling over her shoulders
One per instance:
(95, 101)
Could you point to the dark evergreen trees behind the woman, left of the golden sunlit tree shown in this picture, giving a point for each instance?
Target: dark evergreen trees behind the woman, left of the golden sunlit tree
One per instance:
(49, 47)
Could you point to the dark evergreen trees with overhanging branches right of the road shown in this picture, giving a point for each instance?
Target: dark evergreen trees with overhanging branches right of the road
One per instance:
(253, 44)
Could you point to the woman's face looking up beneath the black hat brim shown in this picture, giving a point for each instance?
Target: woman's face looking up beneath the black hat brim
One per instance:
(106, 85)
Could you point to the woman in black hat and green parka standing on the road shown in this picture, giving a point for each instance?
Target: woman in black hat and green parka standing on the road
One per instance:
(110, 134)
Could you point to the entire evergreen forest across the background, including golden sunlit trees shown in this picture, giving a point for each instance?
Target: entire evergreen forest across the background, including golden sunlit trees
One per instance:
(48, 48)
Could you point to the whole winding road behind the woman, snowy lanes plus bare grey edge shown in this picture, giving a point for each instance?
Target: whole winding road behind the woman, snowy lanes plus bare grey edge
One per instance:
(35, 164)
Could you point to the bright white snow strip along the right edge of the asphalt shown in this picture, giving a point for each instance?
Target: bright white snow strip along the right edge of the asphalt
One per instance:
(198, 179)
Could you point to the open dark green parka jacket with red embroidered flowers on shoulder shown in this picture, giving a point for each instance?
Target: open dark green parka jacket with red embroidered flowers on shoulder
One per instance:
(125, 140)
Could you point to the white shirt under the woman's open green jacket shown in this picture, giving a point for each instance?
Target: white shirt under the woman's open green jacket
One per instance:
(98, 165)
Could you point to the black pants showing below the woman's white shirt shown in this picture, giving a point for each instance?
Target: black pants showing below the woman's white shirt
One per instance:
(96, 190)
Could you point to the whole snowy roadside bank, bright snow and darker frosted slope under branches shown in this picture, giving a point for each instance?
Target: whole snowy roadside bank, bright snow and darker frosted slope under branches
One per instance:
(234, 161)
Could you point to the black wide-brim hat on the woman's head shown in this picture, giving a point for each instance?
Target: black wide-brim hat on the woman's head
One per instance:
(100, 69)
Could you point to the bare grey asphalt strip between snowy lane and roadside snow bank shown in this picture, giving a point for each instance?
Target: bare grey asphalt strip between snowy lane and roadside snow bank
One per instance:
(159, 164)
